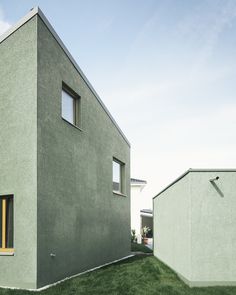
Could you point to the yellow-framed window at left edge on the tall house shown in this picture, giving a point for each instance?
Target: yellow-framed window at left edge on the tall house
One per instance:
(6, 224)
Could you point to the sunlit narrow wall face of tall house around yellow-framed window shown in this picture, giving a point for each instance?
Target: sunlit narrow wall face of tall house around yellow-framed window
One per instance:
(18, 166)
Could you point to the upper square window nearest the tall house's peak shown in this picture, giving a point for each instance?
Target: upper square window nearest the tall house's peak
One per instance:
(70, 106)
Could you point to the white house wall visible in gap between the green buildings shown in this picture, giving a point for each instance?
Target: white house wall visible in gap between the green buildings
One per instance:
(136, 198)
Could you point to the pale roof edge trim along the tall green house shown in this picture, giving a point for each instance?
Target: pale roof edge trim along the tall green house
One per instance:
(38, 11)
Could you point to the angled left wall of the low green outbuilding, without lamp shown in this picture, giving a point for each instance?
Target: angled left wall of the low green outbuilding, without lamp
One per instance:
(171, 223)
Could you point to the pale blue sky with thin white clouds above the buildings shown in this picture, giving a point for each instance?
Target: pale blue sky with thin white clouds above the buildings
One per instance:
(165, 69)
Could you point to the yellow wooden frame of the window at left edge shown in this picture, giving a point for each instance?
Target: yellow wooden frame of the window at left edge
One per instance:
(3, 248)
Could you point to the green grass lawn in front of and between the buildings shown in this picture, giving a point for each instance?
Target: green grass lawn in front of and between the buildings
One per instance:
(137, 275)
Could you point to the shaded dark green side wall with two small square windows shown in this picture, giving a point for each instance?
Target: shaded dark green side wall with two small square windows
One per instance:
(79, 218)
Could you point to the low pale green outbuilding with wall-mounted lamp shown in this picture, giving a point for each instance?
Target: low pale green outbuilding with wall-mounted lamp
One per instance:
(195, 226)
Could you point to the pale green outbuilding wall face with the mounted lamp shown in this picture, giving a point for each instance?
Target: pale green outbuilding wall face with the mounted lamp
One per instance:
(213, 222)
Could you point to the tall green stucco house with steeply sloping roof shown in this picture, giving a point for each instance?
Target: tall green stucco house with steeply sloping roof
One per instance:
(64, 164)
